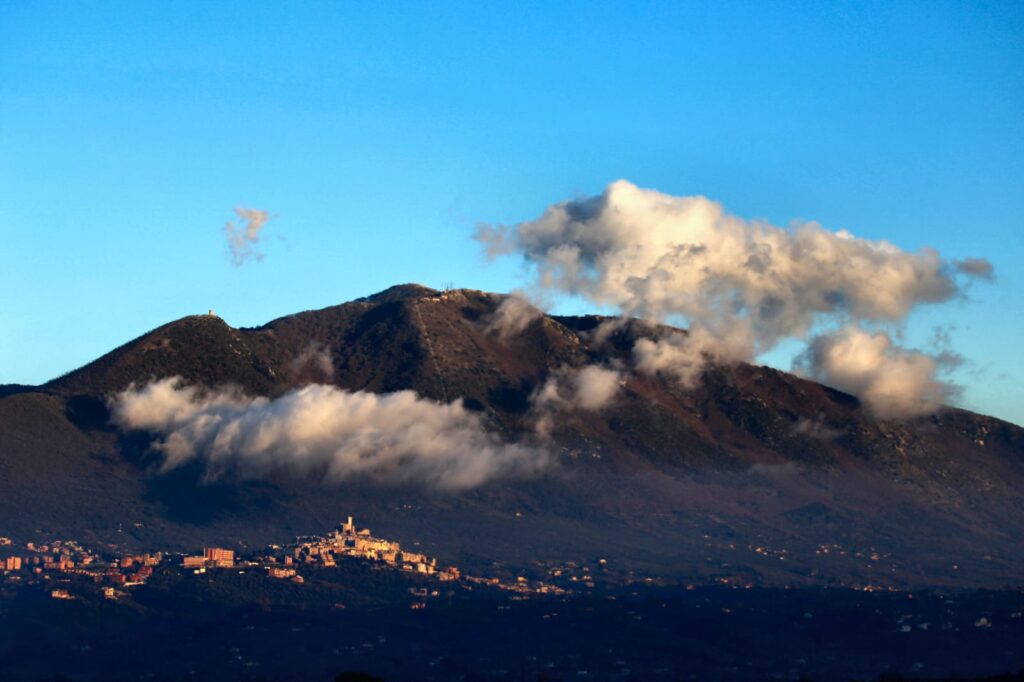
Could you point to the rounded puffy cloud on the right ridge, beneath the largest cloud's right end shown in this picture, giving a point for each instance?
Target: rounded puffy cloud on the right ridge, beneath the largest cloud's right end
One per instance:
(893, 382)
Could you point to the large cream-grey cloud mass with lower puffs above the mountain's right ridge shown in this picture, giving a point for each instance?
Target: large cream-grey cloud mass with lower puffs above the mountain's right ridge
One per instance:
(742, 286)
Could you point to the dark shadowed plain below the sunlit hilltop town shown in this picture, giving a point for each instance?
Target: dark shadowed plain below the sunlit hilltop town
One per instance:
(233, 626)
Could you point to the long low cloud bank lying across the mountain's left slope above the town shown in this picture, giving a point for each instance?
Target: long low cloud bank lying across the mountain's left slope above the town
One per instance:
(323, 431)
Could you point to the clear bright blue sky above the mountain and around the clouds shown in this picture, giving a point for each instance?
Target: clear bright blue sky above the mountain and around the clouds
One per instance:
(380, 134)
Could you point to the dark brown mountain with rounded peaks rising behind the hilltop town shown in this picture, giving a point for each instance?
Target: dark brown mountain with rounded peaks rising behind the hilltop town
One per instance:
(754, 477)
